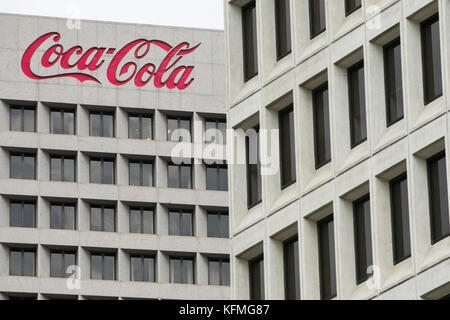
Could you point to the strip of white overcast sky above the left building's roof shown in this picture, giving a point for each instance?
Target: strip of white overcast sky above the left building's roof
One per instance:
(183, 13)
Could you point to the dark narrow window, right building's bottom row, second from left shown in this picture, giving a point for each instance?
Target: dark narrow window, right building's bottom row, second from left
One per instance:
(291, 269)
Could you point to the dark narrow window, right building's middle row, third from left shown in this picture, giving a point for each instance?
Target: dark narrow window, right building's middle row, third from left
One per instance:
(321, 115)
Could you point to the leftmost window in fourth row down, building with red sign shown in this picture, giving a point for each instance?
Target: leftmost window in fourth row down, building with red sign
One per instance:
(22, 262)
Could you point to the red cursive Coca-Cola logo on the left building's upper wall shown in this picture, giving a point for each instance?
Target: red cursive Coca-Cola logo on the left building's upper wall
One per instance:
(122, 67)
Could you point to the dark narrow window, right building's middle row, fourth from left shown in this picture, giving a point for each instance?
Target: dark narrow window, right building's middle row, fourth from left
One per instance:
(357, 102)
